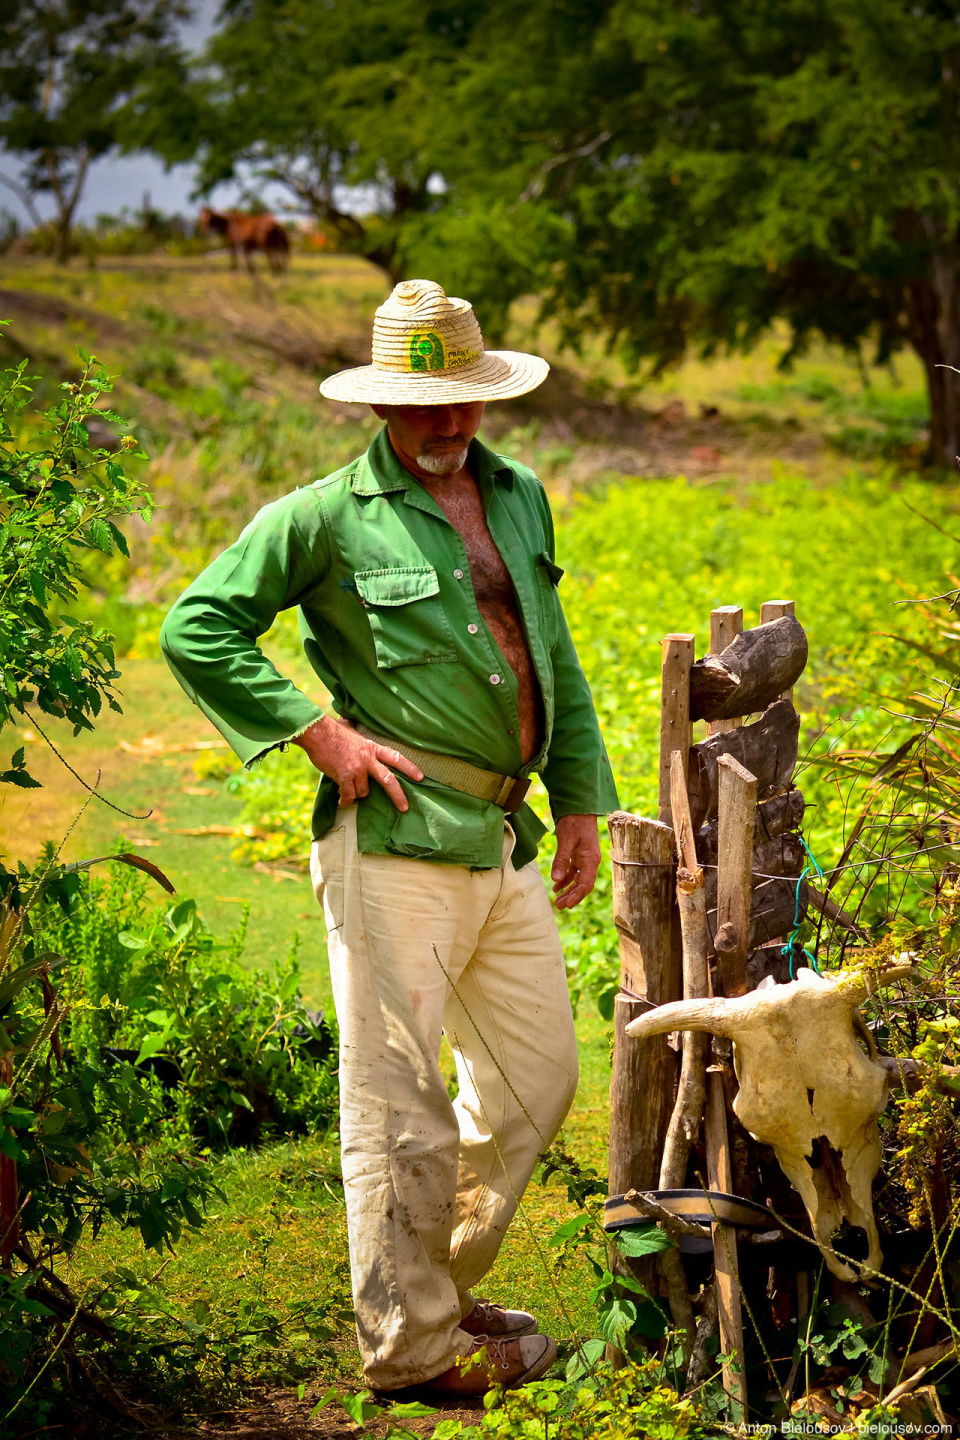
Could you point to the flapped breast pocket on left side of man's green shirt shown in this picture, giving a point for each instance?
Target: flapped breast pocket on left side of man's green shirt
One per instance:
(407, 617)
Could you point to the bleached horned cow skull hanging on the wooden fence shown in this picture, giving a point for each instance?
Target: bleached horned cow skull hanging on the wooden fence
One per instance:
(807, 1089)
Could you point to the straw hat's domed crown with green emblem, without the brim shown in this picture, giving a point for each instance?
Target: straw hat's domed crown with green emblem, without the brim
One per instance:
(422, 330)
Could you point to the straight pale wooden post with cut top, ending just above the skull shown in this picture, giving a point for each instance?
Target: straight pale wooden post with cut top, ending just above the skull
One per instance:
(735, 875)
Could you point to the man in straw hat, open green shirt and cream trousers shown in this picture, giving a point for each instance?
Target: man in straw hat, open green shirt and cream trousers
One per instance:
(428, 601)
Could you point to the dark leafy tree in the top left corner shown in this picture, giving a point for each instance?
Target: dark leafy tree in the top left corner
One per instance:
(67, 73)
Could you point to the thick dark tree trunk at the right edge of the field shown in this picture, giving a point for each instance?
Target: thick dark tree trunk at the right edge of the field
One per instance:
(933, 309)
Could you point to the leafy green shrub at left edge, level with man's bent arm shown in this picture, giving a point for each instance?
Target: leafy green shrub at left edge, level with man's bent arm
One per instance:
(60, 499)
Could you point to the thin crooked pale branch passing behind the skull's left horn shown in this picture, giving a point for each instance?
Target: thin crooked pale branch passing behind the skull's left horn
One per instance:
(689, 1110)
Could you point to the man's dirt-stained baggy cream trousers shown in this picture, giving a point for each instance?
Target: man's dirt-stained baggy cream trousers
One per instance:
(417, 950)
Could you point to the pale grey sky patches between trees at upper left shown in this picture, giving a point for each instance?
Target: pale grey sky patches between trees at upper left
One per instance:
(117, 182)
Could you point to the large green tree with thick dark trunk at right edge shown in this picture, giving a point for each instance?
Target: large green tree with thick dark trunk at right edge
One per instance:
(728, 163)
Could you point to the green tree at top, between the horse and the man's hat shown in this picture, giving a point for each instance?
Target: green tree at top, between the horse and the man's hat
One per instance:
(336, 104)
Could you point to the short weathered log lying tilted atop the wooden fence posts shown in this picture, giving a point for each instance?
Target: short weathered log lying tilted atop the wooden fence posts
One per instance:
(751, 673)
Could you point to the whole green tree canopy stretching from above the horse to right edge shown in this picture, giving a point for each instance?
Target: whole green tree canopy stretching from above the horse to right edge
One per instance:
(676, 175)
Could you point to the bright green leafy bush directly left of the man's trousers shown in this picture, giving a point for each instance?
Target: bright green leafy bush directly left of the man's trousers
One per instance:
(243, 1058)
